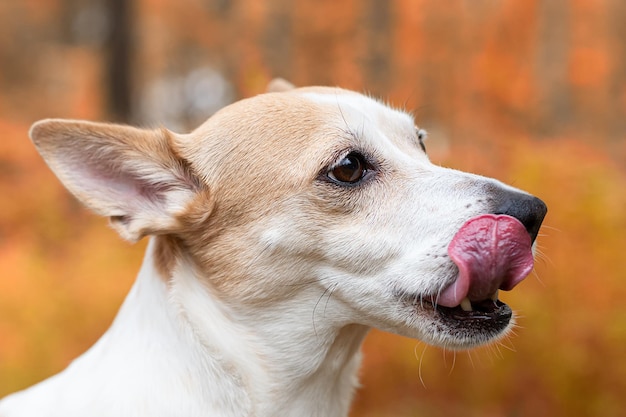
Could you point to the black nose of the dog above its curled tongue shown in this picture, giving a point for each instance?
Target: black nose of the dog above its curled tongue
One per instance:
(524, 207)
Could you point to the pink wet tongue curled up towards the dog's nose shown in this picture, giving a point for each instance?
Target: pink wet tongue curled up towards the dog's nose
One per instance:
(492, 252)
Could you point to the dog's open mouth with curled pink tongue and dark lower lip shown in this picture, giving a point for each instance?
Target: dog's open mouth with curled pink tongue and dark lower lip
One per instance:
(491, 253)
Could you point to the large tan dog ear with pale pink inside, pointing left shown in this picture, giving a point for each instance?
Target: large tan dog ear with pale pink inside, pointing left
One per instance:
(133, 176)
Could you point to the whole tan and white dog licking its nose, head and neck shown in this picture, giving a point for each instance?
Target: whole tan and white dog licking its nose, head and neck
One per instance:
(281, 230)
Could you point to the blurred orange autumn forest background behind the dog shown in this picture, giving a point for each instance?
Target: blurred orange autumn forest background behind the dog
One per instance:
(530, 92)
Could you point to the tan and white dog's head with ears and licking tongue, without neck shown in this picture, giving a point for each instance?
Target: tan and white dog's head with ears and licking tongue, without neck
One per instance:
(314, 190)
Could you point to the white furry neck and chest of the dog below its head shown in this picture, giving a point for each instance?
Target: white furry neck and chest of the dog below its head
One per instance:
(160, 359)
